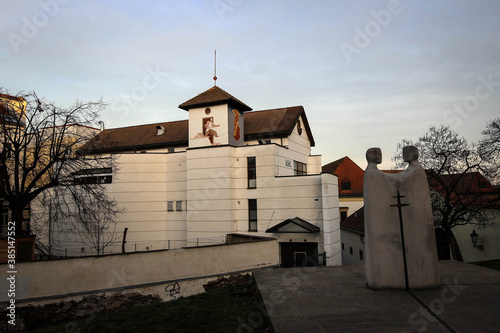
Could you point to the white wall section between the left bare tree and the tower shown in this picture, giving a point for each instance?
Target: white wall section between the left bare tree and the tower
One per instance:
(142, 186)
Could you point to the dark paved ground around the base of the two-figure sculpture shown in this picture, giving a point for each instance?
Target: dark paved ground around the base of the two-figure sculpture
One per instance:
(336, 299)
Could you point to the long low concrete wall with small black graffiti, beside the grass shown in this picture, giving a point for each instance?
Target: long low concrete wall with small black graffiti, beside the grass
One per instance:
(148, 273)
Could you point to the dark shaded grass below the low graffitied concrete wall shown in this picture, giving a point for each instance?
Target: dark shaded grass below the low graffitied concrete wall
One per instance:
(226, 309)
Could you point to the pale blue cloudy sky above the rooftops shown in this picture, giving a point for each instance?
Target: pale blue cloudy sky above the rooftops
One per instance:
(368, 73)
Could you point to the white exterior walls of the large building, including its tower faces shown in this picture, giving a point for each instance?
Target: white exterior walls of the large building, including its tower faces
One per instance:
(211, 182)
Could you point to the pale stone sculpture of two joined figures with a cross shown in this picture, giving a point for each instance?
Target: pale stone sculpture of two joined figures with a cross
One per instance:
(385, 258)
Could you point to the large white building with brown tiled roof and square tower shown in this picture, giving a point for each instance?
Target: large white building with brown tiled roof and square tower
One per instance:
(225, 170)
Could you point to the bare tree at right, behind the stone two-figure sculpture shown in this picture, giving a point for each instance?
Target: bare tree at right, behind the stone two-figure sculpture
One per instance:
(457, 174)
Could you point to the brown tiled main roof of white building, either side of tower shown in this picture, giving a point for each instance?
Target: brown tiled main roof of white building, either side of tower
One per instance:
(258, 125)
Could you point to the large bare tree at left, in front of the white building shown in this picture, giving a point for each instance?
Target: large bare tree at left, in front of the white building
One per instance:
(39, 160)
